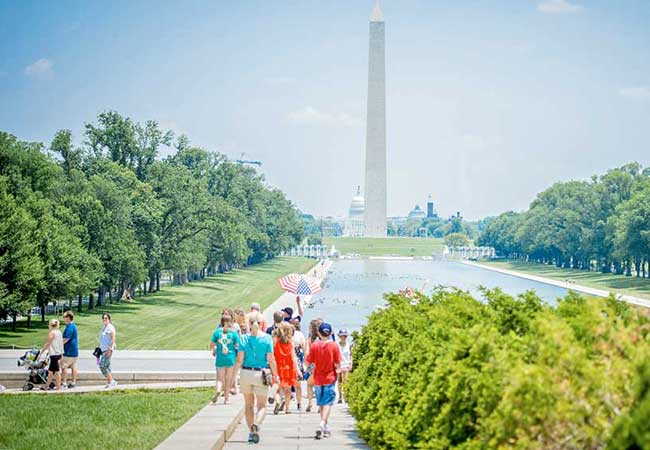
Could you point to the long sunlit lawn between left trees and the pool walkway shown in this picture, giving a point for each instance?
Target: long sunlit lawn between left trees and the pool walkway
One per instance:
(176, 318)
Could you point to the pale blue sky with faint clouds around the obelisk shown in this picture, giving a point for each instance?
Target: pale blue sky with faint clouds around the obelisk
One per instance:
(488, 102)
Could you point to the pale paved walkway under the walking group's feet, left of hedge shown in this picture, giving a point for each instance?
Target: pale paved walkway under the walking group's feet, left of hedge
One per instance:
(297, 431)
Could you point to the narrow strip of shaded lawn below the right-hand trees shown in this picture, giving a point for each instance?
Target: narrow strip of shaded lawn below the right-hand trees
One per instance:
(620, 284)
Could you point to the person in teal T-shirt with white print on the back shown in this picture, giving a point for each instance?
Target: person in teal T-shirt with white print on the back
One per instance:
(224, 345)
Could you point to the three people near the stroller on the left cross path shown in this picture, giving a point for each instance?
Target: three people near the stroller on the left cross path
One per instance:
(63, 351)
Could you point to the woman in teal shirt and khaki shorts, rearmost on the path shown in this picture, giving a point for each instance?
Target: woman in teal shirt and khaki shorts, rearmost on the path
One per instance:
(258, 371)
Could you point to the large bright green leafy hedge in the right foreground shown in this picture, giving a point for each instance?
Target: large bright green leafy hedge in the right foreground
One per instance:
(449, 371)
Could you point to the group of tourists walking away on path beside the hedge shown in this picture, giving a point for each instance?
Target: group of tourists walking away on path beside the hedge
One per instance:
(273, 363)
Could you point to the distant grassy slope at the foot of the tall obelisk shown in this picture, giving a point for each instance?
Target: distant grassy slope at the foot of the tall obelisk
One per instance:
(393, 246)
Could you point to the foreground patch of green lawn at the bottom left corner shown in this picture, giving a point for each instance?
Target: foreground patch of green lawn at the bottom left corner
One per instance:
(120, 420)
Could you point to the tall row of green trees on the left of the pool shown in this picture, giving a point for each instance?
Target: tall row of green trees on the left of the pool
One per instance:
(112, 214)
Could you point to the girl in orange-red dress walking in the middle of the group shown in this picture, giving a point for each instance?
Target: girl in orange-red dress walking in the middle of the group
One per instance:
(285, 358)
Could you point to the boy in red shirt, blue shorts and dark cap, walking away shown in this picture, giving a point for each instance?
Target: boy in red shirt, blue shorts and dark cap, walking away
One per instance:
(326, 357)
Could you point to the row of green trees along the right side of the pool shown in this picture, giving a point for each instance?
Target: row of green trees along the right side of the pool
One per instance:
(601, 224)
